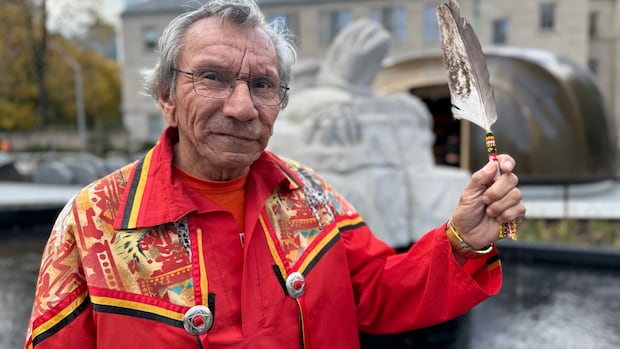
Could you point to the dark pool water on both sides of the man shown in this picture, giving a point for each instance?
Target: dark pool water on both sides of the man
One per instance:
(547, 306)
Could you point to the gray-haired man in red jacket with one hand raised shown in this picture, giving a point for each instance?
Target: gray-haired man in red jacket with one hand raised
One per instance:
(210, 241)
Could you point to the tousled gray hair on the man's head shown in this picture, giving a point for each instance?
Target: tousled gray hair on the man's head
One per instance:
(160, 80)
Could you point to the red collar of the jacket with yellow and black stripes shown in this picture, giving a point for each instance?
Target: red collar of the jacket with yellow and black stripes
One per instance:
(153, 196)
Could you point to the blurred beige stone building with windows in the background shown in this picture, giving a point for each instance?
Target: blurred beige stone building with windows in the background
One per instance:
(584, 31)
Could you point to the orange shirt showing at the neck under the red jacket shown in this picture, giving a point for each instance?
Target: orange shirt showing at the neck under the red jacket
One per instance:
(230, 195)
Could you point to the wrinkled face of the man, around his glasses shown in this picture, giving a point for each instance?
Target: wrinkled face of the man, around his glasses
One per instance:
(220, 138)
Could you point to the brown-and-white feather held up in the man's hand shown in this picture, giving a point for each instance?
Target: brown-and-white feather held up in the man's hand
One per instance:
(471, 92)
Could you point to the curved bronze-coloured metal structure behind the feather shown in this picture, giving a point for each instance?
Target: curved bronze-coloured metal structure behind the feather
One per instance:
(553, 119)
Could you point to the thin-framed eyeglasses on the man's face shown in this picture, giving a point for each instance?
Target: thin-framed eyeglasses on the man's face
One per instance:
(219, 84)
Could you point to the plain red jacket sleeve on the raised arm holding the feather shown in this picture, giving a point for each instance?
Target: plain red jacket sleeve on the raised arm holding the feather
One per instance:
(419, 288)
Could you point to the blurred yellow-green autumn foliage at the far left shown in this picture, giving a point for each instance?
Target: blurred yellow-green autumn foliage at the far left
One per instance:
(19, 93)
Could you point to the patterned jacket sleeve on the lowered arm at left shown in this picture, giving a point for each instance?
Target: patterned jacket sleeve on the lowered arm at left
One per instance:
(61, 314)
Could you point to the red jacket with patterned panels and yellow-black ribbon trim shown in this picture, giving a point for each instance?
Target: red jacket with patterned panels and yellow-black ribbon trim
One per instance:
(134, 251)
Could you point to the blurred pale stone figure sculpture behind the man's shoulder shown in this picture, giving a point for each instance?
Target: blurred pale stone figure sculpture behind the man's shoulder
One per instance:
(376, 149)
